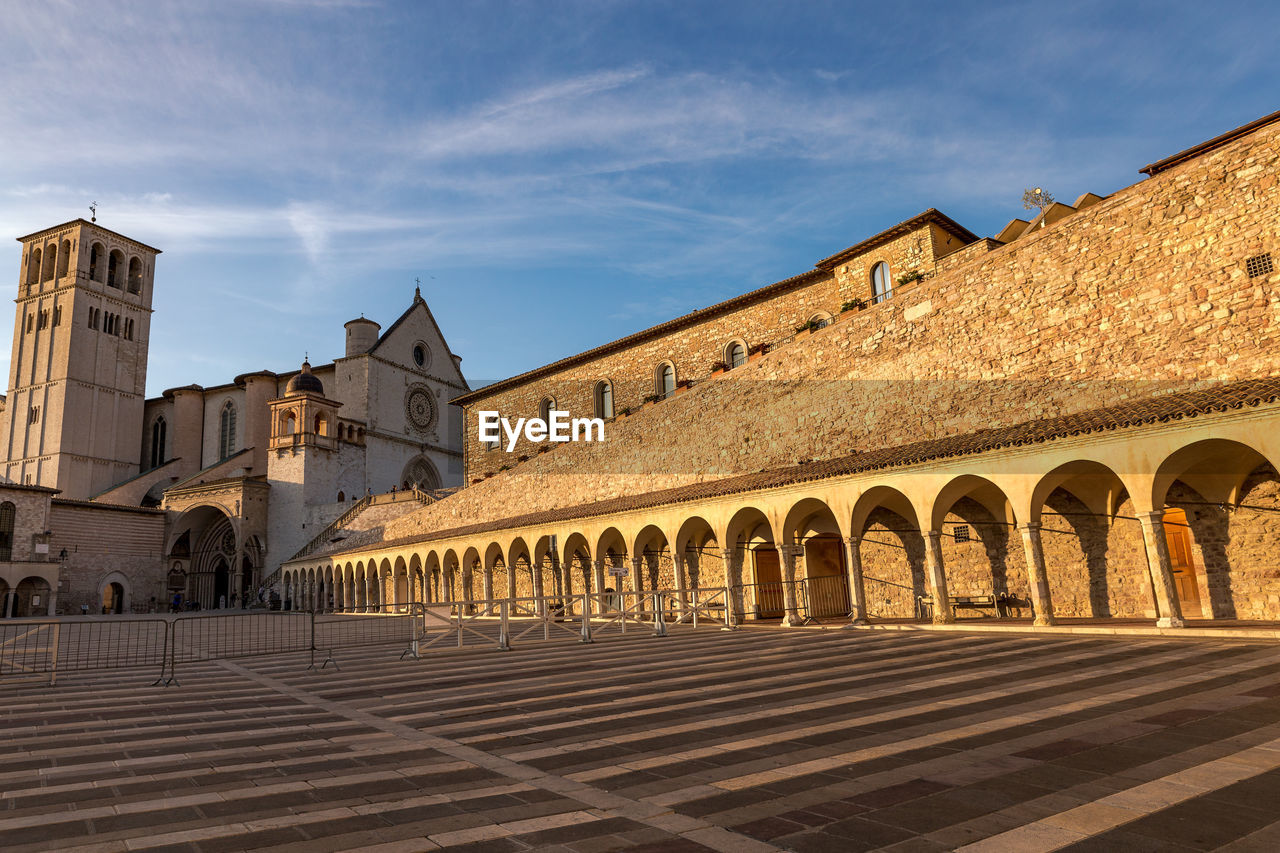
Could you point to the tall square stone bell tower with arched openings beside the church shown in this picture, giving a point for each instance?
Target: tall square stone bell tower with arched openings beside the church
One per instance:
(79, 373)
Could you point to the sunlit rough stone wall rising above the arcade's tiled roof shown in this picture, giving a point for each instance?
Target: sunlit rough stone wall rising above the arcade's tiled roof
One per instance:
(1140, 294)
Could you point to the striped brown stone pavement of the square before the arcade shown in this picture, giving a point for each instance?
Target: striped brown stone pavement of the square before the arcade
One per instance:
(755, 741)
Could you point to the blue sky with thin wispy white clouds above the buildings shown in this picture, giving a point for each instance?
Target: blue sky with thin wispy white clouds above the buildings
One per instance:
(560, 175)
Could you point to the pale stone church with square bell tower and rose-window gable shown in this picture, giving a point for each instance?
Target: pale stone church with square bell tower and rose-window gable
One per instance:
(195, 495)
